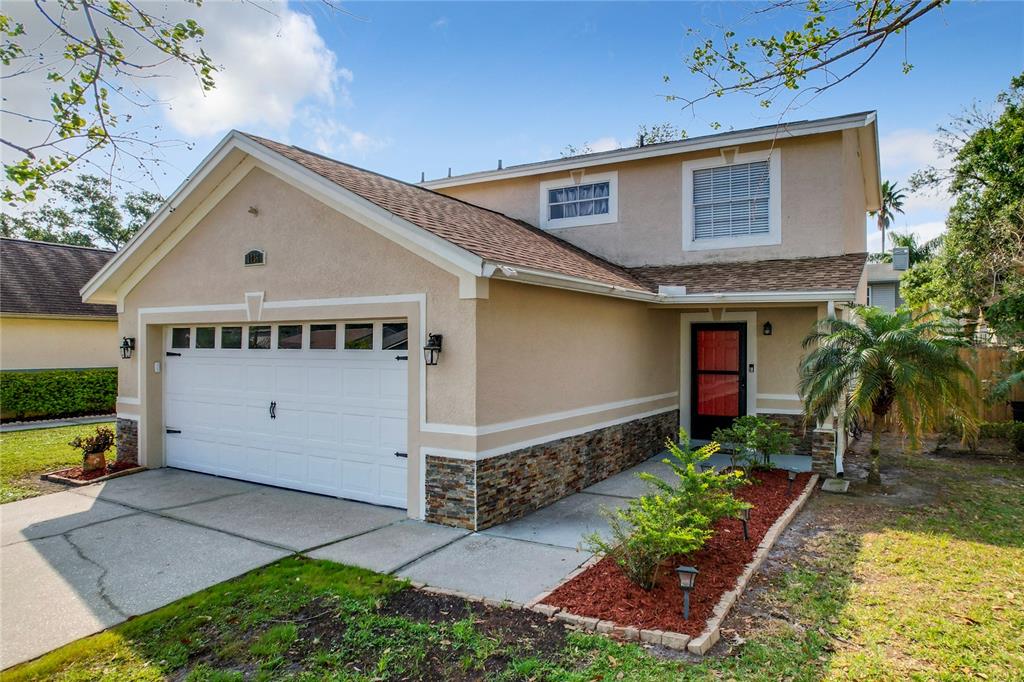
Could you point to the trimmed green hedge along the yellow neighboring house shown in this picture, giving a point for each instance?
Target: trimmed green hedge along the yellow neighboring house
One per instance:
(55, 394)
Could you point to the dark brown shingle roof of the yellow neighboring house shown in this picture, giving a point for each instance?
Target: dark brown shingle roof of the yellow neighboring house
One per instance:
(42, 279)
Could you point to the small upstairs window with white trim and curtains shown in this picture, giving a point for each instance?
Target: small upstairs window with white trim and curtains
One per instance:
(573, 202)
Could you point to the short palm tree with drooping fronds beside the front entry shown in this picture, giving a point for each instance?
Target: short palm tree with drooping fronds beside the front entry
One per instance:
(882, 364)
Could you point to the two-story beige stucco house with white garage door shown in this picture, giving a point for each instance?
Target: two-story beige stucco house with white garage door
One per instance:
(282, 302)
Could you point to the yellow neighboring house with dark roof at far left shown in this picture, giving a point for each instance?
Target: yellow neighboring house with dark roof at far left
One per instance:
(45, 325)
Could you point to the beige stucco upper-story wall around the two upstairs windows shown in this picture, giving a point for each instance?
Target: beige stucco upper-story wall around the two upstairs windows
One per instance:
(823, 205)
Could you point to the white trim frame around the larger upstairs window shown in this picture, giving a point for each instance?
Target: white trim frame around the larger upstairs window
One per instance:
(775, 236)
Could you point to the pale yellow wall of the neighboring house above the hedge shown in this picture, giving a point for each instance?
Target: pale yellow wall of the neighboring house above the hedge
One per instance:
(35, 344)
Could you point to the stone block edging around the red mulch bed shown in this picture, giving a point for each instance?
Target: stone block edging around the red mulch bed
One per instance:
(676, 641)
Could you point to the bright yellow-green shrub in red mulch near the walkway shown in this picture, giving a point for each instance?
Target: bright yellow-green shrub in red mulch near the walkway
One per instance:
(676, 520)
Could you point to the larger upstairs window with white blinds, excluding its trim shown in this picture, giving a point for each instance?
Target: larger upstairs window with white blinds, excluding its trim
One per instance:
(731, 201)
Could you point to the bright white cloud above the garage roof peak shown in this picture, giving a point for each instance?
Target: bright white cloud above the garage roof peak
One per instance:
(271, 60)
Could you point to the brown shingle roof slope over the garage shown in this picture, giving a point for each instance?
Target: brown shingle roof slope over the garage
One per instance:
(485, 233)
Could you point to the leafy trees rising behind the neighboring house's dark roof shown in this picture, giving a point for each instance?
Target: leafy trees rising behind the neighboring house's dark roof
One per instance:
(83, 212)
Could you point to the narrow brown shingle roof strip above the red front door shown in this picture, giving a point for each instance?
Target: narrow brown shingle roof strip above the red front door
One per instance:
(826, 274)
